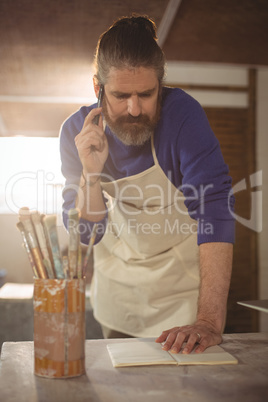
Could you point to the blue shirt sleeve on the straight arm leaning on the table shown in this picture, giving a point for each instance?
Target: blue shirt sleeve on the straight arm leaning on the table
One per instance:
(206, 183)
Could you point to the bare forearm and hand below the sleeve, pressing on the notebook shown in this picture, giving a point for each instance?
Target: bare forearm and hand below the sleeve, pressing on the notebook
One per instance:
(215, 273)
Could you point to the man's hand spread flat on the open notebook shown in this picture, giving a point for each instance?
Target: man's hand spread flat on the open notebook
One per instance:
(200, 333)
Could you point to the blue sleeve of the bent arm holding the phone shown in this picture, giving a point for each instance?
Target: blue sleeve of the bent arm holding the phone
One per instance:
(71, 168)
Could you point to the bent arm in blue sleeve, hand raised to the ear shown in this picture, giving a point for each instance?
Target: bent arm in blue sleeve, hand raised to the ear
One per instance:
(84, 152)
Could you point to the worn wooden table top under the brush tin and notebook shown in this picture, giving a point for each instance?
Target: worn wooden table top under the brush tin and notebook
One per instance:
(247, 381)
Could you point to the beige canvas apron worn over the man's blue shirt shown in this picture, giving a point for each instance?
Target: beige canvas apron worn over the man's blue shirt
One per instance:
(146, 271)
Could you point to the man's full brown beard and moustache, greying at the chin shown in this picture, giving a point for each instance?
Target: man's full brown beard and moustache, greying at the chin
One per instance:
(132, 130)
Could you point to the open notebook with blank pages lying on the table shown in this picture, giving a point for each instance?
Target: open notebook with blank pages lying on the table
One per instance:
(143, 353)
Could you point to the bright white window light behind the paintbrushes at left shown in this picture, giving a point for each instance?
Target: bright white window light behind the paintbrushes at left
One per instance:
(30, 175)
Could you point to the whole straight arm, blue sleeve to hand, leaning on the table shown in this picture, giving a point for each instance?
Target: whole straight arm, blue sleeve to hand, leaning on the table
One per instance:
(207, 190)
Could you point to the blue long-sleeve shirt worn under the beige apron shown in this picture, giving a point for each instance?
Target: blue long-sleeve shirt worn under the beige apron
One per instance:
(187, 151)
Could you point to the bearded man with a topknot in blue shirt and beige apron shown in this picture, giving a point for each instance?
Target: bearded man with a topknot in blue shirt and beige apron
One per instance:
(152, 176)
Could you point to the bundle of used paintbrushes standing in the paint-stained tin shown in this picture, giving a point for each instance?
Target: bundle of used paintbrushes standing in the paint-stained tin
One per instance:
(40, 239)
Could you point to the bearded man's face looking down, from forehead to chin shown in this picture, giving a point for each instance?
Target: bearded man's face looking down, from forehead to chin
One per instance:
(131, 105)
